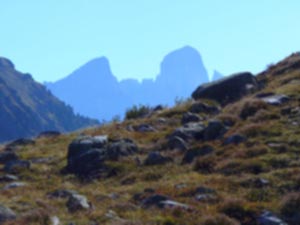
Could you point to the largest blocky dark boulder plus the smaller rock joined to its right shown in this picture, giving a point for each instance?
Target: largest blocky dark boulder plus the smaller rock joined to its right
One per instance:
(87, 155)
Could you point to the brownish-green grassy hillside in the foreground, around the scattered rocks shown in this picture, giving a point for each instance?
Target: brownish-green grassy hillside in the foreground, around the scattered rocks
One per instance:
(238, 181)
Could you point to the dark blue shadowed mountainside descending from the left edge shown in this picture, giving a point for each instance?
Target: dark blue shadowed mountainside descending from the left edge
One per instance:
(28, 108)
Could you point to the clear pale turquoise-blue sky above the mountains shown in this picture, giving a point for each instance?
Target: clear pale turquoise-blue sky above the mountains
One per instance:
(51, 38)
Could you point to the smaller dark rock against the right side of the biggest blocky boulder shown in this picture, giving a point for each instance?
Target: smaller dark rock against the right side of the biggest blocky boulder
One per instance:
(122, 147)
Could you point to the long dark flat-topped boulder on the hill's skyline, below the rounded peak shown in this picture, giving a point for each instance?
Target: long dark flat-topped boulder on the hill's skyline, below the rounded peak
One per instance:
(228, 89)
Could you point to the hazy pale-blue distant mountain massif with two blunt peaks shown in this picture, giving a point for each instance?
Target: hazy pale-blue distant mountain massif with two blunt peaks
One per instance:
(95, 92)
